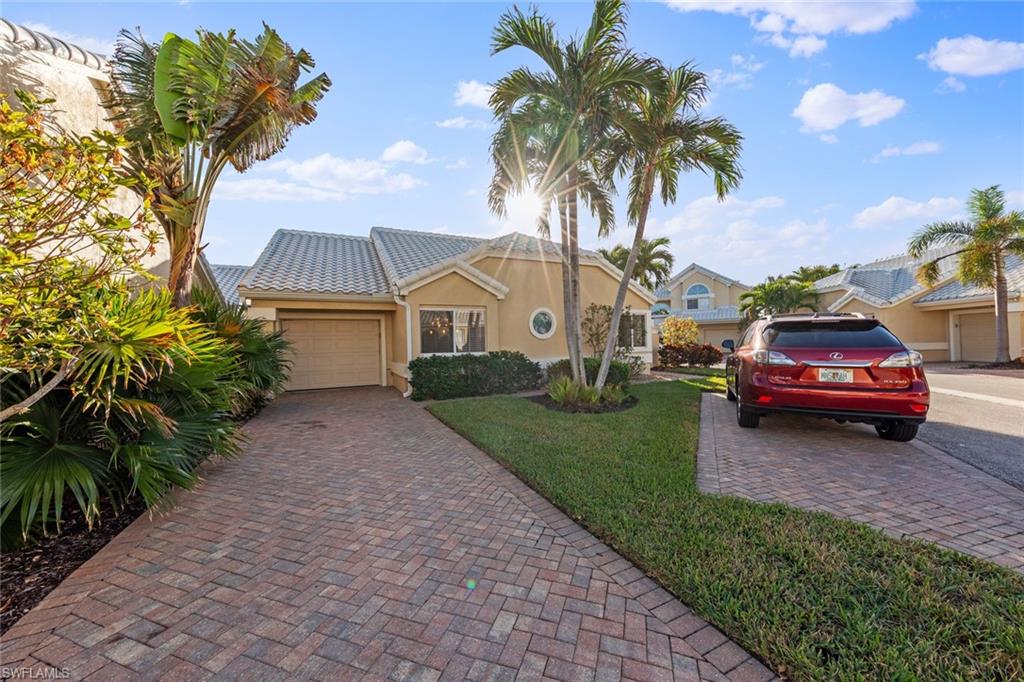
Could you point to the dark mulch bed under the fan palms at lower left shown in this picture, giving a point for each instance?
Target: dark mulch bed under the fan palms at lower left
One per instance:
(31, 573)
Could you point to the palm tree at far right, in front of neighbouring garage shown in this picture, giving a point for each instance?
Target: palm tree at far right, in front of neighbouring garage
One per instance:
(985, 242)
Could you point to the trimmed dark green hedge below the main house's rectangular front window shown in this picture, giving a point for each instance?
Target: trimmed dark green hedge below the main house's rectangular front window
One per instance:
(443, 377)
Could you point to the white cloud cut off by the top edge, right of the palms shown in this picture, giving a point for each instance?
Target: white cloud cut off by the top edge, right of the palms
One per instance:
(797, 26)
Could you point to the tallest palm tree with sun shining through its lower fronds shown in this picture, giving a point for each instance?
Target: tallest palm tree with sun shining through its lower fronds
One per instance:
(554, 123)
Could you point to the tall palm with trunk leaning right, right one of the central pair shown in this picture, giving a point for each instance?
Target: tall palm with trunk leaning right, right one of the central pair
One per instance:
(664, 138)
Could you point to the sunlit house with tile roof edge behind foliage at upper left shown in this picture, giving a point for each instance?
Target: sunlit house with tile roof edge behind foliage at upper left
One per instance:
(75, 78)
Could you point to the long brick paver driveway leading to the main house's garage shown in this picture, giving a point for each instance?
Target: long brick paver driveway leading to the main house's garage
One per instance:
(360, 538)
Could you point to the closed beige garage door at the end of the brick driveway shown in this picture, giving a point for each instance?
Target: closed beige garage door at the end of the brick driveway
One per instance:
(333, 354)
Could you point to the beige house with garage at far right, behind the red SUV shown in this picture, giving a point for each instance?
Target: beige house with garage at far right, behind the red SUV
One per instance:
(948, 322)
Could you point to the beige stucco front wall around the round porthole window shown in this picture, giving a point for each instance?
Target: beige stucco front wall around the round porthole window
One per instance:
(536, 284)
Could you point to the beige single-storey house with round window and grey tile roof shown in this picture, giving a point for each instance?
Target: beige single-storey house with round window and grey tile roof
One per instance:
(359, 309)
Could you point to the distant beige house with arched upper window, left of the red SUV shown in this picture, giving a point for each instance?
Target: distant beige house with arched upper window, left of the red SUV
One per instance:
(712, 301)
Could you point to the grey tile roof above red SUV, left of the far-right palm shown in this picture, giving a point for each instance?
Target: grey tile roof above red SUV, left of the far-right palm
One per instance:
(890, 279)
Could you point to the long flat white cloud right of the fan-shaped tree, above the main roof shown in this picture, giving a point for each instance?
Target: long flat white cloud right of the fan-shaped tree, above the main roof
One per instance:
(325, 178)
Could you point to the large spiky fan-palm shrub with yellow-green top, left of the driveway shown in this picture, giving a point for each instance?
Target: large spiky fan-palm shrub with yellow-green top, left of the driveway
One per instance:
(146, 404)
